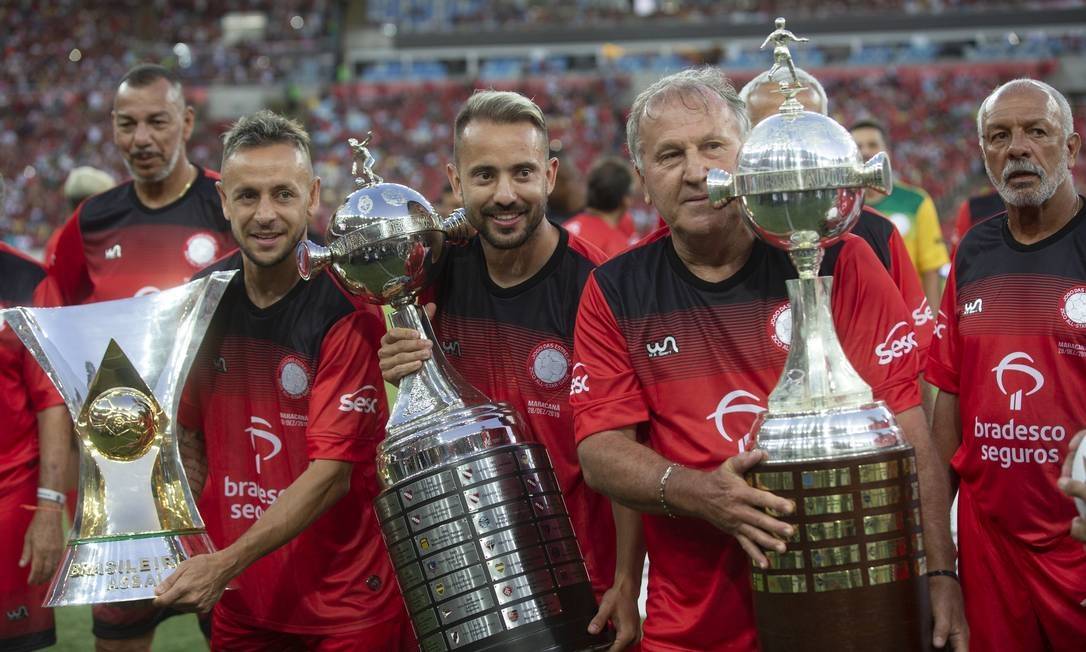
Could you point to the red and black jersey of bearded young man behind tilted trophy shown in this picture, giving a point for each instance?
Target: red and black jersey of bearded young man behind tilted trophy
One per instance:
(516, 345)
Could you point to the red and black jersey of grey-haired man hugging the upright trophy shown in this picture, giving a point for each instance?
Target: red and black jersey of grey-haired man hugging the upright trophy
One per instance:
(696, 361)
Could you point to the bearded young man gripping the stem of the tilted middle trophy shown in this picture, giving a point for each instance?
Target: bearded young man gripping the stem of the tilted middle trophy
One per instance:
(506, 310)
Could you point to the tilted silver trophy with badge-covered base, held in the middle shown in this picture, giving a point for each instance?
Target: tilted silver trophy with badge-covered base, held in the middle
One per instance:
(472, 512)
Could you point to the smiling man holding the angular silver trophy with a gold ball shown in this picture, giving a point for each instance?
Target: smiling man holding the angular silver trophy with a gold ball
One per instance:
(287, 399)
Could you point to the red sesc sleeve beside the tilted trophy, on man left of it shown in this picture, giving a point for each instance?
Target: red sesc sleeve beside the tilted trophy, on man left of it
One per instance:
(348, 408)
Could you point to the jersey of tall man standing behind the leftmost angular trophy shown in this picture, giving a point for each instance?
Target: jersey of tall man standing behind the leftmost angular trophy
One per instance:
(115, 247)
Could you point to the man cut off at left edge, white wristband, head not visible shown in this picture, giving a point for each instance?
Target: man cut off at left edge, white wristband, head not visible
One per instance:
(35, 438)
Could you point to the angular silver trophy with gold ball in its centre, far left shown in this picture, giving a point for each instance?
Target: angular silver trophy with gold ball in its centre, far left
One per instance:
(120, 367)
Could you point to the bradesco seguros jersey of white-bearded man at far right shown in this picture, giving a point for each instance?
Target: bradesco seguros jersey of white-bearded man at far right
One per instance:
(1012, 344)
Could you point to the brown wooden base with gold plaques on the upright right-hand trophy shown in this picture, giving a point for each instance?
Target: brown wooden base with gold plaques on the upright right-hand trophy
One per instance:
(853, 578)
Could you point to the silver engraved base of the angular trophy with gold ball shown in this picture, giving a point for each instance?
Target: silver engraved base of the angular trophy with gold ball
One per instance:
(122, 569)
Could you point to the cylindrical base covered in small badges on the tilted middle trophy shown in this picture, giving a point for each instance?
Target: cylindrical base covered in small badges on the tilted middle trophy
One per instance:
(485, 554)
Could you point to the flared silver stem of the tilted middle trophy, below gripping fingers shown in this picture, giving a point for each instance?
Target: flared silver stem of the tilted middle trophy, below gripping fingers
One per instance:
(436, 387)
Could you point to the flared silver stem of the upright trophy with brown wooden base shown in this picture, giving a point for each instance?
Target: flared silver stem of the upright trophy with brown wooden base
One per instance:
(817, 375)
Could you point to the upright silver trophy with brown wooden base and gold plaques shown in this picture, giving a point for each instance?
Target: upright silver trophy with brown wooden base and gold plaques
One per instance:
(853, 578)
